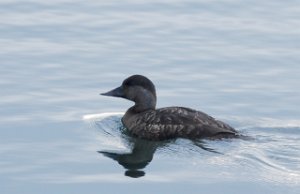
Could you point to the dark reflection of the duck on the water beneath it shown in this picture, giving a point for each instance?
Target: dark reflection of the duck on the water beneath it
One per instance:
(141, 155)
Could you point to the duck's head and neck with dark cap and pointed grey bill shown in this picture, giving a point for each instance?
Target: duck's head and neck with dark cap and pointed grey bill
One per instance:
(136, 88)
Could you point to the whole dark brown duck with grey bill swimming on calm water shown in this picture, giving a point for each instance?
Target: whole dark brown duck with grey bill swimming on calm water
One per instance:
(143, 120)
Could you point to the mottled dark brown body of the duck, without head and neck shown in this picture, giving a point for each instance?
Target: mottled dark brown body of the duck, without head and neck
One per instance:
(171, 122)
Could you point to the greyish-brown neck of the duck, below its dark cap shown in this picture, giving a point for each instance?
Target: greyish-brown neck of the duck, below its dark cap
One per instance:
(143, 102)
